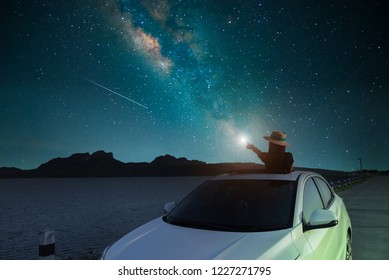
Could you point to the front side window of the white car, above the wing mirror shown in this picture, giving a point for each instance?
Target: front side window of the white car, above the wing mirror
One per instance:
(311, 199)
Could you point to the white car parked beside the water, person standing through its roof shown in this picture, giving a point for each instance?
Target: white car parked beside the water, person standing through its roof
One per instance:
(246, 216)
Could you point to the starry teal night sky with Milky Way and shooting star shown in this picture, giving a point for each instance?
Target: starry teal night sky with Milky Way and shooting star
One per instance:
(190, 78)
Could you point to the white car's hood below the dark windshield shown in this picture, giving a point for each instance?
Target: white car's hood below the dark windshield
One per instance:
(158, 240)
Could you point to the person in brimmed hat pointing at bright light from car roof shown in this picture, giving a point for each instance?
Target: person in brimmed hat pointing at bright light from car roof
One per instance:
(276, 160)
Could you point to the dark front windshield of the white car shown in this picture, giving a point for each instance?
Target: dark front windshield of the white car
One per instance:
(237, 205)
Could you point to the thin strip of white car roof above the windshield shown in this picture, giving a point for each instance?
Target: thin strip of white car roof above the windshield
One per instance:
(261, 175)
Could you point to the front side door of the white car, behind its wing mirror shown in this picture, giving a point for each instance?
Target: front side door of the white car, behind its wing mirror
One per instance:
(321, 240)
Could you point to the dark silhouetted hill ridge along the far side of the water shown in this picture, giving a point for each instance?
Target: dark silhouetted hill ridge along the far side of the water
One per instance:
(103, 164)
